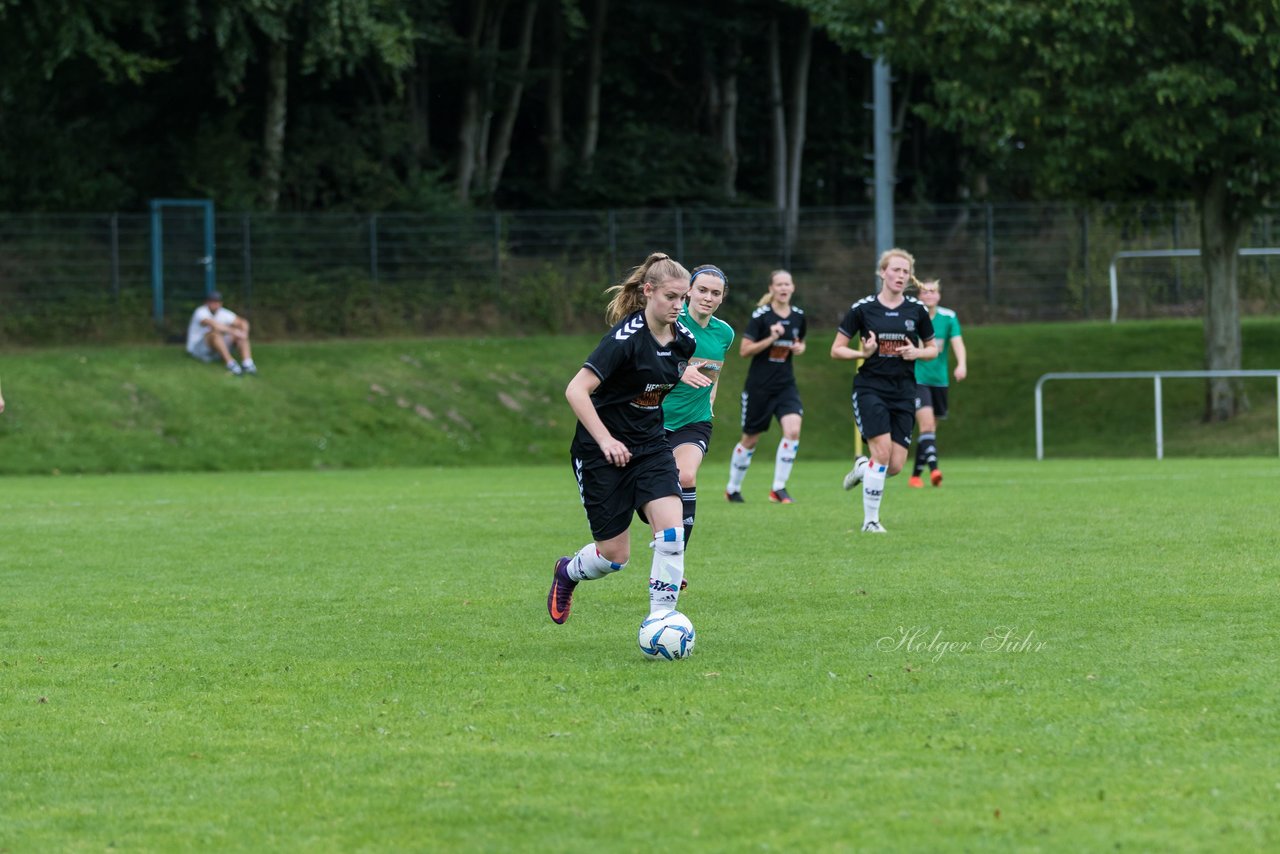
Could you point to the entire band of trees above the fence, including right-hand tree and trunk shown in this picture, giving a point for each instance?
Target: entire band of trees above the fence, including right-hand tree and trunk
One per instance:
(440, 104)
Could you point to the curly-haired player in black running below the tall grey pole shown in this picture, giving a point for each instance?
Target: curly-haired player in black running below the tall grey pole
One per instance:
(895, 331)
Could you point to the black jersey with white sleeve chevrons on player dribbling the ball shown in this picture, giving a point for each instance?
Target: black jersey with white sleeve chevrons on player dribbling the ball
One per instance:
(636, 375)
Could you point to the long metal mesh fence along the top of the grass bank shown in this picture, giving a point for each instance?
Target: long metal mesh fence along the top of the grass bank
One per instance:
(546, 271)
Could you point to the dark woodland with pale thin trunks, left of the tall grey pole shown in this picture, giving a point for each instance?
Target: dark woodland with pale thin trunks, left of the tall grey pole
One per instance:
(372, 104)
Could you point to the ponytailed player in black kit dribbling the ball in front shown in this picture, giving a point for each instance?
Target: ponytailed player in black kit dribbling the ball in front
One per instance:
(620, 454)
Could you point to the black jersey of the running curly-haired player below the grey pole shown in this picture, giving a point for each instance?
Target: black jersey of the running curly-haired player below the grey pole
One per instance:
(886, 372)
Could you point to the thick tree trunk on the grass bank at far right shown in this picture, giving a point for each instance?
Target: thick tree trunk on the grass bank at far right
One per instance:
(1220, 244)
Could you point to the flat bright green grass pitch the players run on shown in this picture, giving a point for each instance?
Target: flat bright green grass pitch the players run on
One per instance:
(1060, 656)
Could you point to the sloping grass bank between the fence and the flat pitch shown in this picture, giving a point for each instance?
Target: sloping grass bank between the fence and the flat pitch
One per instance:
(450, 403)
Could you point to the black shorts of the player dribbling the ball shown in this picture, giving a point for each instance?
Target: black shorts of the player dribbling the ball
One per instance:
(612, 495)
